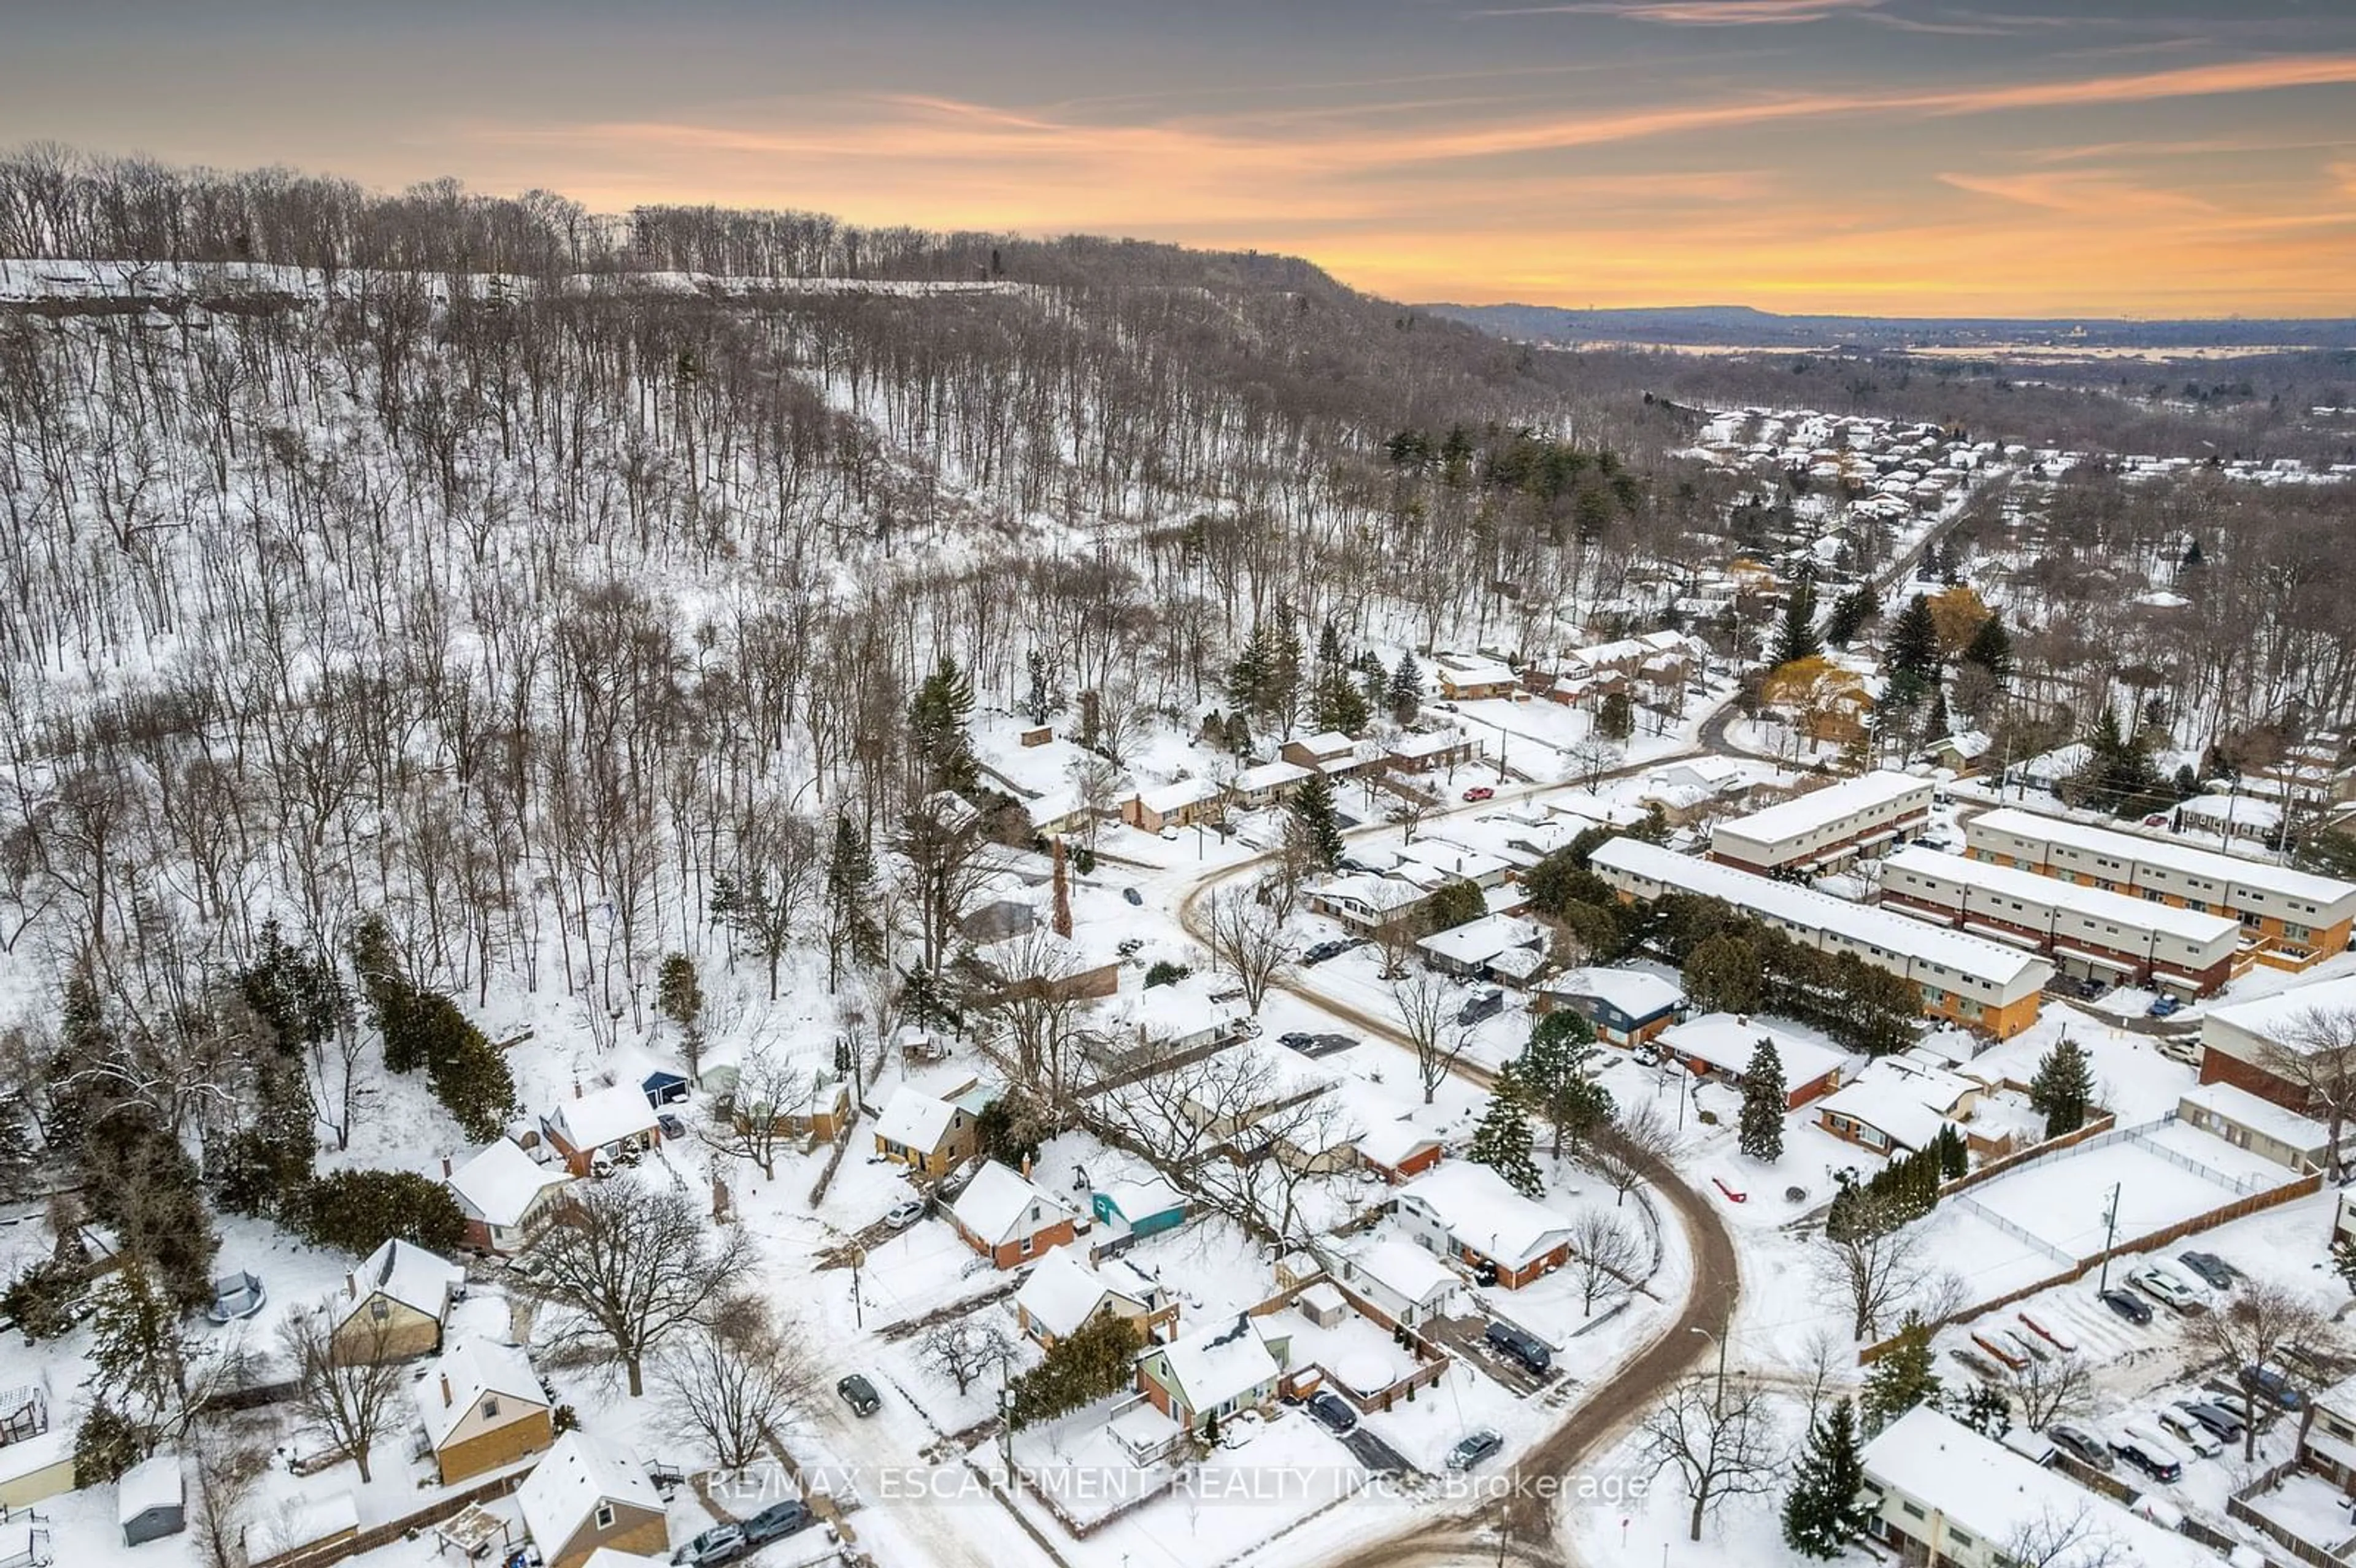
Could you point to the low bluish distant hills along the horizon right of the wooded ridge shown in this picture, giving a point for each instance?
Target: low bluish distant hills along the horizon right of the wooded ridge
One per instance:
(1747, 328)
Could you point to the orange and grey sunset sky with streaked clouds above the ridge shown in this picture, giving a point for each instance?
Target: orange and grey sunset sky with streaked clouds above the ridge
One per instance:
(1853, 157)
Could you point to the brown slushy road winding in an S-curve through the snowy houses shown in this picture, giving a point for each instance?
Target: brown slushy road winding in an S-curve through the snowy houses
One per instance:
(1596, 1426)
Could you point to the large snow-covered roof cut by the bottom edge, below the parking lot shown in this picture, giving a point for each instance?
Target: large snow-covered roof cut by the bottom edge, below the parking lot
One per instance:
(2001, 1496)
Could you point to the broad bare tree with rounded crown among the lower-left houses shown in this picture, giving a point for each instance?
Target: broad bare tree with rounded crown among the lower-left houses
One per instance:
(628, 1265)
